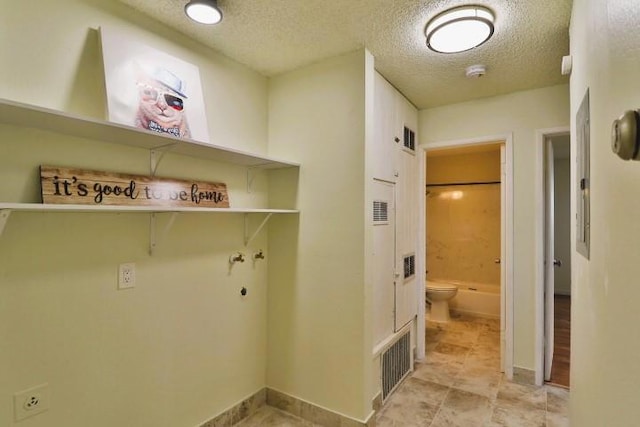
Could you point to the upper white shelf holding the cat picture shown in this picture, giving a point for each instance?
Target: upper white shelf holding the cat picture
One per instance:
(15, 113)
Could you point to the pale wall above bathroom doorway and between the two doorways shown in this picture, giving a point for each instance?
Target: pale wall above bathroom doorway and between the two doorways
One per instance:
(519, 114)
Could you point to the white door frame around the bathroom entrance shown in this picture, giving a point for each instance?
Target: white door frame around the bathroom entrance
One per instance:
(506, 294)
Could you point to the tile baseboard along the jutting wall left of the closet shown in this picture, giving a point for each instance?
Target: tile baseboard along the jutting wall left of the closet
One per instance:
(314, 413)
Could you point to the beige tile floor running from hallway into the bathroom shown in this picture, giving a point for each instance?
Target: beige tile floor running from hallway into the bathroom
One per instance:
(459, 385)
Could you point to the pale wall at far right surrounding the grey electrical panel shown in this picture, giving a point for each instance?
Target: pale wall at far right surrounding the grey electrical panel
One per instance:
(605, 373)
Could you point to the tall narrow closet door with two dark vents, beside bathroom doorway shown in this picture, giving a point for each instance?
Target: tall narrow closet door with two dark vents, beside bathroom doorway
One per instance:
(407, 182)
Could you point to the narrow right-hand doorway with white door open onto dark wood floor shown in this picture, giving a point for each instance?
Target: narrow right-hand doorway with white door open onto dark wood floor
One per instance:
(554, 257)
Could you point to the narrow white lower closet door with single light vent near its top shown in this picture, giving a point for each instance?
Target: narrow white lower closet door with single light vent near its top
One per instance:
(383, 259)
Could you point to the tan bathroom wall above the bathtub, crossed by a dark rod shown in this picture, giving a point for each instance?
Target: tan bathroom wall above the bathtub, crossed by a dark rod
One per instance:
(463, 222)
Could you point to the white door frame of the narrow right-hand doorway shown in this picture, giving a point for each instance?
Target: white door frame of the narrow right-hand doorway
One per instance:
(540, 240)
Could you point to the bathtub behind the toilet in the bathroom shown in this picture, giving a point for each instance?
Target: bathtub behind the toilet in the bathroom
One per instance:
(476, 298)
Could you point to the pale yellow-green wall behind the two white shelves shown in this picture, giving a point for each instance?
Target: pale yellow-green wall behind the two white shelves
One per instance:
(180, 347)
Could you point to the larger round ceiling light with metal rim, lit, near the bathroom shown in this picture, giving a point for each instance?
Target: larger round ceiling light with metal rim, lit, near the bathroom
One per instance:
(459, 29)
